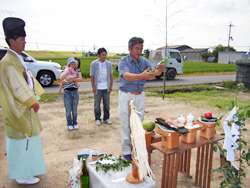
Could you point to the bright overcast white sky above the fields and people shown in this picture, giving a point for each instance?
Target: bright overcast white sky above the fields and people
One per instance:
(82, 24)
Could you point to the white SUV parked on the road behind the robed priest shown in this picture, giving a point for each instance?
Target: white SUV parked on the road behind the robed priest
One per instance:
(45, 72)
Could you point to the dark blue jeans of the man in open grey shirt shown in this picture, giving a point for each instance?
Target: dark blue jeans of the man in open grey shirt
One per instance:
(105, 96)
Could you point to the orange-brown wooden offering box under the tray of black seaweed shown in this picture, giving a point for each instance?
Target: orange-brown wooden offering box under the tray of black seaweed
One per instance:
(169, 140)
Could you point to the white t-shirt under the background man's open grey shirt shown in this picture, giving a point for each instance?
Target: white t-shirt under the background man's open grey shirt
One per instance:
(102, 76)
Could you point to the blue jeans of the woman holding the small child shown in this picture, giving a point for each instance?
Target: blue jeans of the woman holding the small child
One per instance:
(70, 99)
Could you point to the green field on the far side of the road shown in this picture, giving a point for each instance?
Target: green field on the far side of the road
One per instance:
(189, 67)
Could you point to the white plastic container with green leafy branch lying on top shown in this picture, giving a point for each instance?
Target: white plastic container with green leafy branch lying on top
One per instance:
(114, 179)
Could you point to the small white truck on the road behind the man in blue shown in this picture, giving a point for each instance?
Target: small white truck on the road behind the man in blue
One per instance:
(174, 64)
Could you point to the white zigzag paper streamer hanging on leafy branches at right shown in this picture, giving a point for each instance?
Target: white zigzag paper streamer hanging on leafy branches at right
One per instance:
(231, 136)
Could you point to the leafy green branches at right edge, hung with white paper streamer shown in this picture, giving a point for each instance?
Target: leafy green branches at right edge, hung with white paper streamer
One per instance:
(230, 175)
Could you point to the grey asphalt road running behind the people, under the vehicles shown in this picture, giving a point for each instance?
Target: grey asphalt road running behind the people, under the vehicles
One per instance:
(86, 86)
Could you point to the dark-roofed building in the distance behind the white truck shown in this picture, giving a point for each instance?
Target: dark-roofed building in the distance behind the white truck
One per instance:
(188, 53)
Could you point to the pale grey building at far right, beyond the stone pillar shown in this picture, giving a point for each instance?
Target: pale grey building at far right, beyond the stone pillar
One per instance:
(231, 56)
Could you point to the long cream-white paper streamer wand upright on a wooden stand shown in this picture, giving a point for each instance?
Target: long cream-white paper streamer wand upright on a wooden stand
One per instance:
(140, 154)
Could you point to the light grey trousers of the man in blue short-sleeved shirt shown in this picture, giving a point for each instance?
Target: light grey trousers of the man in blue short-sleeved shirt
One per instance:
(124, 115)
